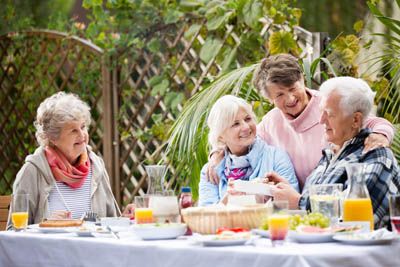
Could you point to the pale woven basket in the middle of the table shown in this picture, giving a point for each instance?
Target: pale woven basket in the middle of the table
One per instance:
(206, 220)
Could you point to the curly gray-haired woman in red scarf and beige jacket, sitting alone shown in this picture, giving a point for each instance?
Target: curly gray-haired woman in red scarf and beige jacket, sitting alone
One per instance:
(64, 177)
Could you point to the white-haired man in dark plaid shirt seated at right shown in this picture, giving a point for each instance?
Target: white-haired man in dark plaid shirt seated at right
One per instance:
(346, 102)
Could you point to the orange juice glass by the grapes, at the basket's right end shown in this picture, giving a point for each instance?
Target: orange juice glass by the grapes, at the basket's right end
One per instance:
(278, 222)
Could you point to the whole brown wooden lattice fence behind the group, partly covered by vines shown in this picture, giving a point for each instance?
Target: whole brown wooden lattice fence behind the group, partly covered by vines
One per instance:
(120, 90)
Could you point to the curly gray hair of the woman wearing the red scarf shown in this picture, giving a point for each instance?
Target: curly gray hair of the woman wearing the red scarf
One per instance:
(57, 110)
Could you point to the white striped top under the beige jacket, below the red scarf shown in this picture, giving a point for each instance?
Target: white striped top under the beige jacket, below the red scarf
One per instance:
(77, 201)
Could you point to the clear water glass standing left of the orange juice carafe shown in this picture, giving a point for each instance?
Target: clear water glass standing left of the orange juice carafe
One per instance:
(325, 199)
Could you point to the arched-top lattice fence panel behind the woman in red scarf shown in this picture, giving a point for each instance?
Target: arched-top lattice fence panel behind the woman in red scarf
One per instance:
(33, 66)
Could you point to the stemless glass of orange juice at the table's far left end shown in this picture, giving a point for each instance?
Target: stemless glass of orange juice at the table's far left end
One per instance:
(19, 211)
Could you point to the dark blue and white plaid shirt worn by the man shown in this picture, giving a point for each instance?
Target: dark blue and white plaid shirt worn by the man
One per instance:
(382, 174)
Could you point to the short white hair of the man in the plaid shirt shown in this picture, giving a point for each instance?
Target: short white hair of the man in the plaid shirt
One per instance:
(356, 95)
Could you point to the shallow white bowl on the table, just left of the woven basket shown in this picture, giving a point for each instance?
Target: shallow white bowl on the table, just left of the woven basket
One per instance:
(152, 231)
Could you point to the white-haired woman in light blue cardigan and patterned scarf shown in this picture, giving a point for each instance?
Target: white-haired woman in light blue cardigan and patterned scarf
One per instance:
(232, 128)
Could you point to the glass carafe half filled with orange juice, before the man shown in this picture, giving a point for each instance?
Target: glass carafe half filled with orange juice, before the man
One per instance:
(357, 205)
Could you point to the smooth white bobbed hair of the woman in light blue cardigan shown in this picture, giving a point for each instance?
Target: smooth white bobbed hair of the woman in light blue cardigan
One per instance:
(222, 115)
